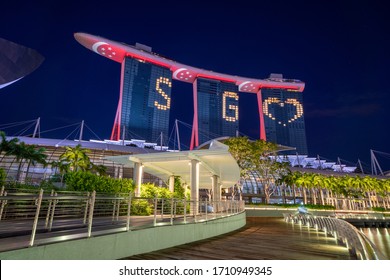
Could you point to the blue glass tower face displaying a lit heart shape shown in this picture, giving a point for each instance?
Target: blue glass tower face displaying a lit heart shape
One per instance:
(284, 118)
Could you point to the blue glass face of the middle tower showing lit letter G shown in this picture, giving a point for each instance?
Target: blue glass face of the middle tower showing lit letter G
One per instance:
(217, 109)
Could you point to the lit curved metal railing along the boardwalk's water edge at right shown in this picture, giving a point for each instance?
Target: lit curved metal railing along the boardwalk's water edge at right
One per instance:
(344, 232)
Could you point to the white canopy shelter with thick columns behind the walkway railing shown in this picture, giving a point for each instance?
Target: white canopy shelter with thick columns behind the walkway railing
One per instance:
(211, 168)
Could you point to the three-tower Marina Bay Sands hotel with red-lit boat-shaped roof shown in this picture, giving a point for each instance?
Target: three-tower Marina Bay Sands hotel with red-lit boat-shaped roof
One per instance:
(145, 97)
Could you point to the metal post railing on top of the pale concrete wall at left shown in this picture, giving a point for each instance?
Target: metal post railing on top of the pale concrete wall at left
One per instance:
(53, 217)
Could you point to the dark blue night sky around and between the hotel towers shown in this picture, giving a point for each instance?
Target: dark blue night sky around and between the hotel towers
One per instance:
(341, 51)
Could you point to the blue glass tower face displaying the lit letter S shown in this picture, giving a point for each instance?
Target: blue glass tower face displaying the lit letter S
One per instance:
(144, 102)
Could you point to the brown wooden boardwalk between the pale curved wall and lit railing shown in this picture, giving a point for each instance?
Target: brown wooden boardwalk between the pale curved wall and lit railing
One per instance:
(261, 239)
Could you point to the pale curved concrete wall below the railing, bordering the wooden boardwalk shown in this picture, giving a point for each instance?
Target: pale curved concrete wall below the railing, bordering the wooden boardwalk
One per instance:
(121, 245)
